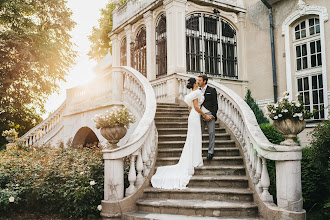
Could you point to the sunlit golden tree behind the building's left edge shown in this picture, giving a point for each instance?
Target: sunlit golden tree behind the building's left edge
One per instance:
(99, 37)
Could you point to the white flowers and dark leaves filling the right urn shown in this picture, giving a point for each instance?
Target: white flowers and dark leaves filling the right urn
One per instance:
(284, 109)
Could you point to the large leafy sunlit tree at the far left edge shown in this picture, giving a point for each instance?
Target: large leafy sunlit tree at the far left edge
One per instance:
(35, 54)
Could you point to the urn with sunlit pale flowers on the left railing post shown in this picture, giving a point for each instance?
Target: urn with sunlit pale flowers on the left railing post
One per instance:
(113, 124)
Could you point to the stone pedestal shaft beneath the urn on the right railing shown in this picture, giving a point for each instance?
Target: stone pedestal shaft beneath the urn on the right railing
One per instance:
(288, 185)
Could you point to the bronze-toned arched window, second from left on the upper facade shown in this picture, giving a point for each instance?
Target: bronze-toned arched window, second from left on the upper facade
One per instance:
(139, 49)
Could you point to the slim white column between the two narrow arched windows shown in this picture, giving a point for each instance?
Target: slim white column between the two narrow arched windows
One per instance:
(151, 44)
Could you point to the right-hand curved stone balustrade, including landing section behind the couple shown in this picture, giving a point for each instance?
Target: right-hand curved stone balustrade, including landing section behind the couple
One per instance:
(239, 118)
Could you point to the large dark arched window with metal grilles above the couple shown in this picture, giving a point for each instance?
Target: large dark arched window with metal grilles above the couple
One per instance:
(211, 46)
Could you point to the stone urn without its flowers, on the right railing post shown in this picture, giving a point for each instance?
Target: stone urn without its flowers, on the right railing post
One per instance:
(289, 128)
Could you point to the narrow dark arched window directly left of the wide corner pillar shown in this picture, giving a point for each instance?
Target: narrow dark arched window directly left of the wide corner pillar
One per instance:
(161, 50)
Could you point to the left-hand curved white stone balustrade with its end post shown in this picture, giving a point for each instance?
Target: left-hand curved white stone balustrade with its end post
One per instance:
(140, 147)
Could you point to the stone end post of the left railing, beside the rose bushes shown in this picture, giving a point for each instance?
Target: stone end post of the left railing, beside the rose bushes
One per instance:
(113, 186)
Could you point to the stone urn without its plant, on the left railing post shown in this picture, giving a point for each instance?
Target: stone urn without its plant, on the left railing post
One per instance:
(113, 134)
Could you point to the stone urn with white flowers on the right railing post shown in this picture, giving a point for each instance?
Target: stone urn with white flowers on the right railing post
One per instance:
(289, 117)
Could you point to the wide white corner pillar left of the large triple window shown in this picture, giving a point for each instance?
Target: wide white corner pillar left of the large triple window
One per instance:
(176, 35)
